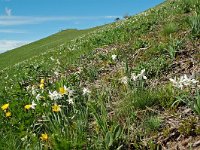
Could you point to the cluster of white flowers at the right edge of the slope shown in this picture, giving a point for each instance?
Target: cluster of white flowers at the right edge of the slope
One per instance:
(183, 81)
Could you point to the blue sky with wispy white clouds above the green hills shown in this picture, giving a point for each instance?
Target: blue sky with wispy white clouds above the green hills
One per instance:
(24, 21)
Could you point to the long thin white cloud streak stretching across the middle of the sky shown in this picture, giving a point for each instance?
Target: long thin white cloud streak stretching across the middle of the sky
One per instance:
(20, 20)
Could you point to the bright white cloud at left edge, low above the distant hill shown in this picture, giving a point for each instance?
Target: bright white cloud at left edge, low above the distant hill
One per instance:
(6, 45)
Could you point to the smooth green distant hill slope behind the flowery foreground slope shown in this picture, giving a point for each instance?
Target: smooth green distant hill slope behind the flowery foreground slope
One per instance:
(52, 42)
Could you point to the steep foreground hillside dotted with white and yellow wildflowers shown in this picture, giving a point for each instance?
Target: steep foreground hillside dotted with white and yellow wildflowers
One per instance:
(133, 84)
